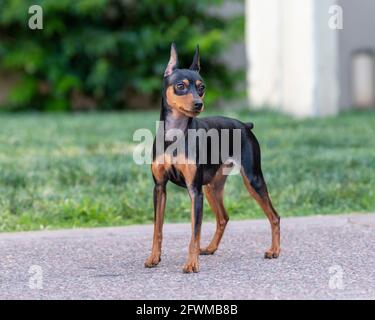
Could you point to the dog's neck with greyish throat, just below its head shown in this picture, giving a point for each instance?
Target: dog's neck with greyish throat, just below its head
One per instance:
(173, 120)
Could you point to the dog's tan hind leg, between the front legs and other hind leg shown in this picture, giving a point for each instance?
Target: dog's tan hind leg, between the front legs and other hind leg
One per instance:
(214, 194)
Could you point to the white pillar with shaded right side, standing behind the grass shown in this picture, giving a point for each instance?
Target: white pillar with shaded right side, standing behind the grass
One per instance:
(292, 56)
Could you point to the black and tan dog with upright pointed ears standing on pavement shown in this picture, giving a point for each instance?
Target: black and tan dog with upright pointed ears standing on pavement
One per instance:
(182, 101)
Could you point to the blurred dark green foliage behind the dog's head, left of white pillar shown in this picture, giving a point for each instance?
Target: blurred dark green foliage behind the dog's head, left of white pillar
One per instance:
(109, 54)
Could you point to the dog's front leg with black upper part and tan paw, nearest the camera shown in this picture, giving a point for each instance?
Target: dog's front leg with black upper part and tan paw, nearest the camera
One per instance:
(196, 195)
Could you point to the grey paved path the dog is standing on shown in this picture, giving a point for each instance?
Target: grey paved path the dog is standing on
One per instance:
(107, 263)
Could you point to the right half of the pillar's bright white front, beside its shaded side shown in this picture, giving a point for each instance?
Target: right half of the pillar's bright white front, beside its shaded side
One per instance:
(298, 64)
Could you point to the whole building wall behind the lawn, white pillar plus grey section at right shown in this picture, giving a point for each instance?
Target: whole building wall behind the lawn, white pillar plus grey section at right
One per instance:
(296, 62)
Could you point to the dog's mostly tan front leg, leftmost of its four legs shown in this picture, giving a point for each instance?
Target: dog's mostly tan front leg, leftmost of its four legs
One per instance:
(160, 196)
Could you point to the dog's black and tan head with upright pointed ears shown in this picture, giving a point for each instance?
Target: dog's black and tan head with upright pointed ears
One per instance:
(184, 88)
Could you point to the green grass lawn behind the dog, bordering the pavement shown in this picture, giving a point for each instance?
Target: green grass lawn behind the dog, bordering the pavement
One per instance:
(77, 170)
